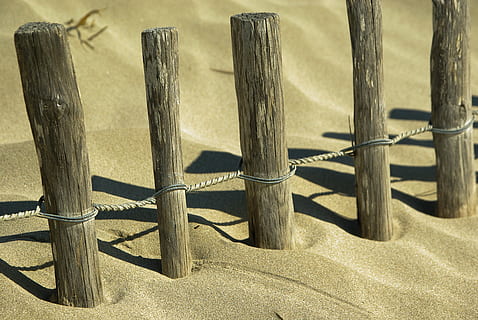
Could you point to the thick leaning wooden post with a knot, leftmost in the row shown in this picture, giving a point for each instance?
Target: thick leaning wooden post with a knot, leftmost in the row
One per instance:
(56, 119)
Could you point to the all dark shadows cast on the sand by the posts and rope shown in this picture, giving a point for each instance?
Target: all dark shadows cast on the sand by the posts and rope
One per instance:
(232, 202)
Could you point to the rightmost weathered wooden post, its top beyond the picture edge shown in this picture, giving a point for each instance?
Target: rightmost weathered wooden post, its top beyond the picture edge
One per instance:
(451, 108)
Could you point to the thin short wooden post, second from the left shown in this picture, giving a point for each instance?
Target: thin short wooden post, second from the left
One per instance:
(160, 60)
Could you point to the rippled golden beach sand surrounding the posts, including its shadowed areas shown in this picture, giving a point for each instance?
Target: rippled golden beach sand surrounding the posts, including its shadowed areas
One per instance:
(429, 269)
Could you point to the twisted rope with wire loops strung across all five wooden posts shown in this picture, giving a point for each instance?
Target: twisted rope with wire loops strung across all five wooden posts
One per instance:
(232, 175)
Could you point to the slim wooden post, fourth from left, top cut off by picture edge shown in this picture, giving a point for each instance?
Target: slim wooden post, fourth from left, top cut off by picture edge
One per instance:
(372, 167)
